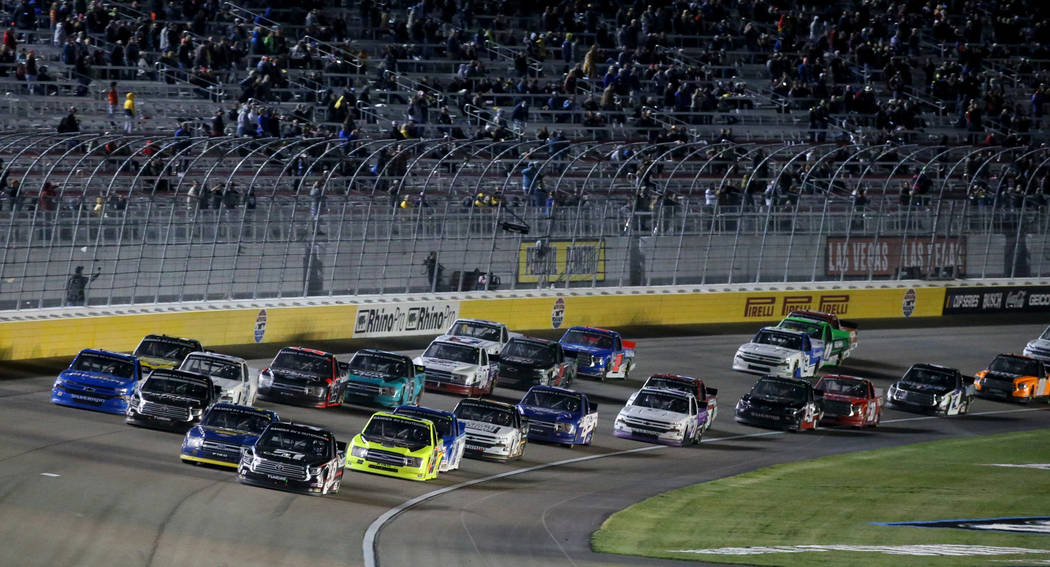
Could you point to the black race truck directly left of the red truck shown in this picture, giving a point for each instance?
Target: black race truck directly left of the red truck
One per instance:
(783, 404)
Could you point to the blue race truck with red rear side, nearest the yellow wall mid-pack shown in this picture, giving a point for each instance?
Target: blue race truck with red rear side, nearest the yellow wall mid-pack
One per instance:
(599, 353)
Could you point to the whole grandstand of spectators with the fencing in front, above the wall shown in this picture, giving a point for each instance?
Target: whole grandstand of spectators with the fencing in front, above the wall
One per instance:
(404, 128)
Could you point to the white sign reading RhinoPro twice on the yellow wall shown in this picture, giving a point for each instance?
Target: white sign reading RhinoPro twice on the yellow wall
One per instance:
(405, 319)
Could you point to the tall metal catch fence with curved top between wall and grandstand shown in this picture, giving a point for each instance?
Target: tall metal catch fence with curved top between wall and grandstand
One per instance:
(279, 218)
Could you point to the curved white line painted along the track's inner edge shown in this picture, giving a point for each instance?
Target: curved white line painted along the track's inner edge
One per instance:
(372, 535)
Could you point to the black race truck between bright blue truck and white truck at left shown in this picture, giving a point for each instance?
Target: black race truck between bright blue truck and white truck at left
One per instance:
(172, 400)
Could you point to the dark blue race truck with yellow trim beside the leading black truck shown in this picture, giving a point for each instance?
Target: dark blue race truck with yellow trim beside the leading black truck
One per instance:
(223, 432)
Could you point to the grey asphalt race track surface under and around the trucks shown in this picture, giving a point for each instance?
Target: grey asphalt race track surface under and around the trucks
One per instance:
(82, 489)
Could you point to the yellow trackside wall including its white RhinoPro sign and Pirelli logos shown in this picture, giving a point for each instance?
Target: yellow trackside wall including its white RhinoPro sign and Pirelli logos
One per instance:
(62, 332)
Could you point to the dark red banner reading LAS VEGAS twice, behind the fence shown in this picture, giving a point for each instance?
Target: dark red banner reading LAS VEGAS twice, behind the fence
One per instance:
(892, 256)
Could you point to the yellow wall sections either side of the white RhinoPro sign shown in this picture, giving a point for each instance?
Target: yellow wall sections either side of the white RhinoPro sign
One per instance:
(59, 338)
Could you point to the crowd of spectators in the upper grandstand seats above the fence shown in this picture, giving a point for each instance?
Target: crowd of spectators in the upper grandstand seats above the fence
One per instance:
(661, 71)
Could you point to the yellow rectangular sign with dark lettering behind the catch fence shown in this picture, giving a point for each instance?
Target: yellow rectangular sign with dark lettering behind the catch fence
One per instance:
(558, 261)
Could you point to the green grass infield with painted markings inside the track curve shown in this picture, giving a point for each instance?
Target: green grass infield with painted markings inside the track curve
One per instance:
(826, 512)
